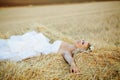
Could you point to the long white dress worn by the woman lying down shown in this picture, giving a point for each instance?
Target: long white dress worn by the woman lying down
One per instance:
(23, 46)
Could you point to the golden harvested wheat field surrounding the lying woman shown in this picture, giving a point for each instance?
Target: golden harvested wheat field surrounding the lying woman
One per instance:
(96, 22)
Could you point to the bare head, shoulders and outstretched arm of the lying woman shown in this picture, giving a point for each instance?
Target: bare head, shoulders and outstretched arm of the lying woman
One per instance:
(68, 51)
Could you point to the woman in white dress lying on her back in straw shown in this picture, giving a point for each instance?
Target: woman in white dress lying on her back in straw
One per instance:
(30, 44)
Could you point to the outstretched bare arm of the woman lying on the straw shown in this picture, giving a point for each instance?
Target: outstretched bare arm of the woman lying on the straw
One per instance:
(68, 57)
